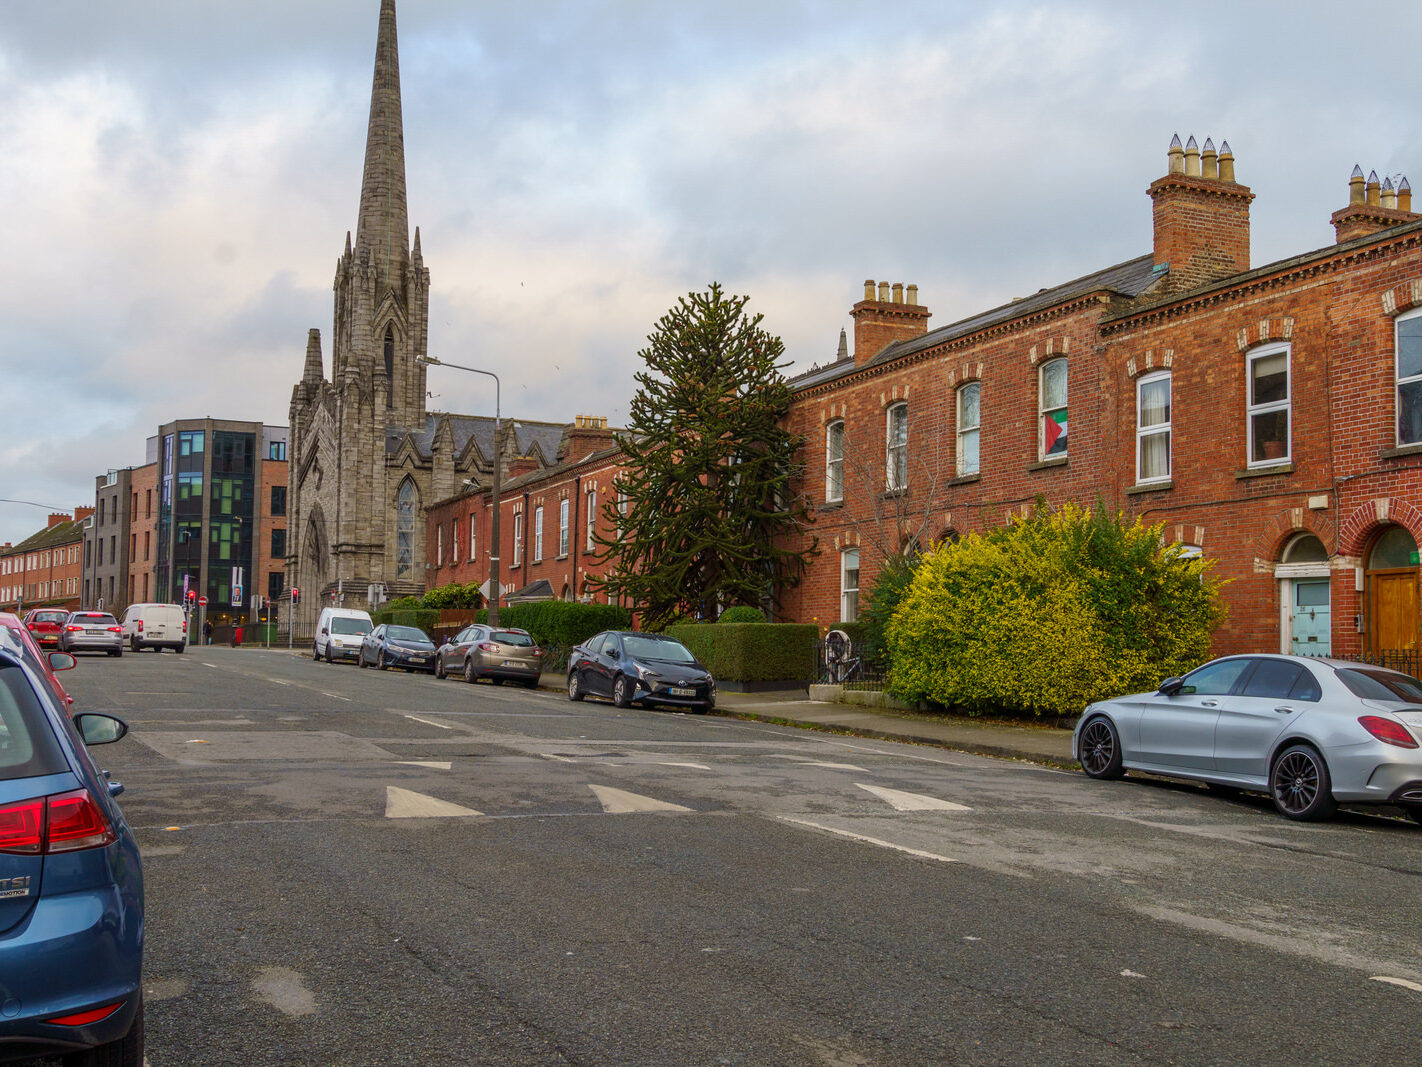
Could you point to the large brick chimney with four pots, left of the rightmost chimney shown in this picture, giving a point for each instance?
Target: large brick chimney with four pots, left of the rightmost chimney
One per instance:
(1201, 217)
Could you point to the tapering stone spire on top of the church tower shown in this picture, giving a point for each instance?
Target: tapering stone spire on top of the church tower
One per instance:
(383, 233)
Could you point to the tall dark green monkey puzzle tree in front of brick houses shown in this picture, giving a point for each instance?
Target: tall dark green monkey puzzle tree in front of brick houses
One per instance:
(705, 511)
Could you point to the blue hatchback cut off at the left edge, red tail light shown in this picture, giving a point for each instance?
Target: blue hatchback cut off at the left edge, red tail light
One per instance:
(72, 886)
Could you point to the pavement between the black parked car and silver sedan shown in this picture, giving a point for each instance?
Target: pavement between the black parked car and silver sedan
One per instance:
(1037, 745)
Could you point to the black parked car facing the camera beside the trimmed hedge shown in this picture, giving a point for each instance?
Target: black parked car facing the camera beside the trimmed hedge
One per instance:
(639, 669)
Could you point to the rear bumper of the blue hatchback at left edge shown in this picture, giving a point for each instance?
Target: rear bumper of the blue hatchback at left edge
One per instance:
(73, 954)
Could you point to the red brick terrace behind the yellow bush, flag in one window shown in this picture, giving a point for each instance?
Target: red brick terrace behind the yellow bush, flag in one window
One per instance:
(1271, 418)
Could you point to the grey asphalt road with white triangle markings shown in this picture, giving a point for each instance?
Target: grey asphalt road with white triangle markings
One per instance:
(353, 867)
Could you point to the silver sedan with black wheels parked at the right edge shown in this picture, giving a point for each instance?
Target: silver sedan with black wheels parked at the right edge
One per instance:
(1312, 733)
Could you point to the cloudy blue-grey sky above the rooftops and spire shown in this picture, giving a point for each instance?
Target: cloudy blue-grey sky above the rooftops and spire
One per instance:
(178, 177)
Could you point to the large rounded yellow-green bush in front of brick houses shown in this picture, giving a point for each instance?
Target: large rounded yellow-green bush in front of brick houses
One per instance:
(1050, 614)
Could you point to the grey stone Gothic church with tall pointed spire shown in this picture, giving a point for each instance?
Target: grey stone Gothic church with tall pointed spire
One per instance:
(366, 455)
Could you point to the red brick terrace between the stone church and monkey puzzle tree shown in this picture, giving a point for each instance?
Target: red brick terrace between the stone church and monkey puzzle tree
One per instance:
(548, 516)
